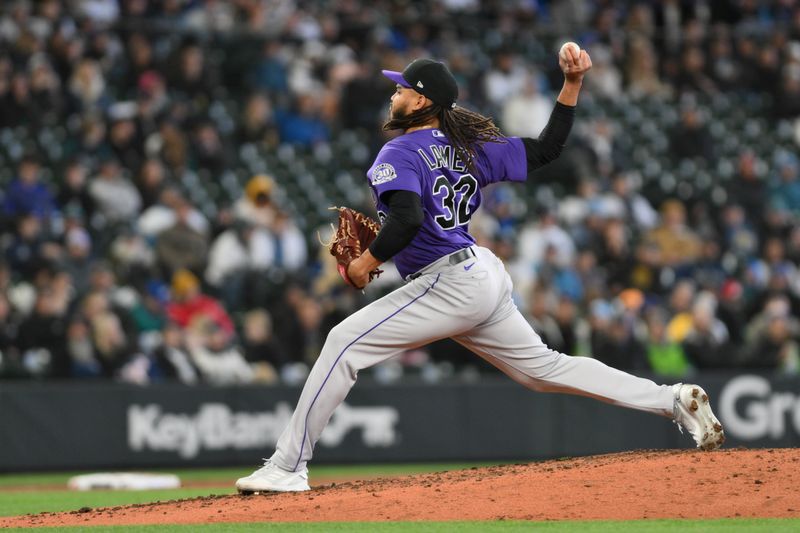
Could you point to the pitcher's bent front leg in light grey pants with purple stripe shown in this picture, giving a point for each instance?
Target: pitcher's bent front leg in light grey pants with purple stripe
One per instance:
(409, 317)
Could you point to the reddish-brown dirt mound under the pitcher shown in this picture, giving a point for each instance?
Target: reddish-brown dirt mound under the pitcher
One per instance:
(633, 485)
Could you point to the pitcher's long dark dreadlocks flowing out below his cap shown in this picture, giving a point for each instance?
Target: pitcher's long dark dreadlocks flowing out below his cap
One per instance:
(466, 130)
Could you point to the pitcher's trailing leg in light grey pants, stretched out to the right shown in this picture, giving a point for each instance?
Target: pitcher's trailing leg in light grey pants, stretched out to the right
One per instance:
(516, 349)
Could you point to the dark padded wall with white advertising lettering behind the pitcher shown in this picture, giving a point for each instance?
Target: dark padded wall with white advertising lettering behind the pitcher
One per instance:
(82, 426)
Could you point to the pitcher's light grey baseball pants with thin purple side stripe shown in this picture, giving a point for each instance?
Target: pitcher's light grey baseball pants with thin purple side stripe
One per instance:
(471, 303)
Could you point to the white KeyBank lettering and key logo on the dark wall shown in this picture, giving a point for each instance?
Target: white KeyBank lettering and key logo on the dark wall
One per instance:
(215, 426)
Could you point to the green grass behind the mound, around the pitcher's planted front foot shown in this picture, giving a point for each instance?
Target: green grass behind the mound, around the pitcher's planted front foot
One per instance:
(221, 481)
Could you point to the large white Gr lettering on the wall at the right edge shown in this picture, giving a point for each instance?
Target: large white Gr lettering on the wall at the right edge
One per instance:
(750, 409)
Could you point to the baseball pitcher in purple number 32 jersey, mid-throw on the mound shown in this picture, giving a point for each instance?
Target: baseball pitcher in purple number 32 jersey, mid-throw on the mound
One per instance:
(426, 185)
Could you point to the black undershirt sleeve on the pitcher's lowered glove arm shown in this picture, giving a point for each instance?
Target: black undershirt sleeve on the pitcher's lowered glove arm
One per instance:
(404, 221)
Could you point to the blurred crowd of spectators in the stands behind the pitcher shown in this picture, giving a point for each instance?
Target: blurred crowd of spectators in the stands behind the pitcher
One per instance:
(135, 245)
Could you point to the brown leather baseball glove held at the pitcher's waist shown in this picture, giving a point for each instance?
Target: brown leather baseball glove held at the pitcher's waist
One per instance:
(355, 233)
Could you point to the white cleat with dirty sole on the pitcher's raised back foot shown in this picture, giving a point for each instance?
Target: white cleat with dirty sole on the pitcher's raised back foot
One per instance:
(692, 411)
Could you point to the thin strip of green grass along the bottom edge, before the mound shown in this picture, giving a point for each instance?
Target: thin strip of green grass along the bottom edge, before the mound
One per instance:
(634, 526)
